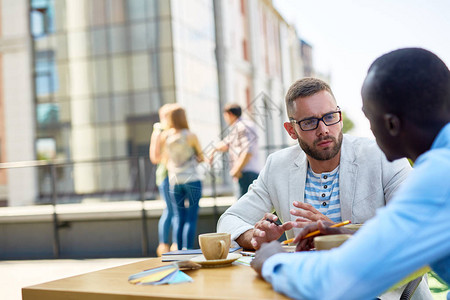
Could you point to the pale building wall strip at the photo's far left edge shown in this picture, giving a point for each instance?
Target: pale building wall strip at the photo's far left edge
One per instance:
(18, 100)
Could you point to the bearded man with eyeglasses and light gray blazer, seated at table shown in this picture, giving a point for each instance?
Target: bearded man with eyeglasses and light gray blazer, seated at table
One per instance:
(331, 177)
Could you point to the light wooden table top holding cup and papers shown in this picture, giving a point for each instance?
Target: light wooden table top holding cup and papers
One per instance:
(232, 282)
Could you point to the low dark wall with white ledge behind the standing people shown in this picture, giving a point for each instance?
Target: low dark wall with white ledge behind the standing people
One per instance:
(90, 233)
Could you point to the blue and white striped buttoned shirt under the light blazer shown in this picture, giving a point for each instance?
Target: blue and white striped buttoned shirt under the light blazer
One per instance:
(322, 192)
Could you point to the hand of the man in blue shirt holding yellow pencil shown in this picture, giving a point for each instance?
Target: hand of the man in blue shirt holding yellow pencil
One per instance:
(324, 228)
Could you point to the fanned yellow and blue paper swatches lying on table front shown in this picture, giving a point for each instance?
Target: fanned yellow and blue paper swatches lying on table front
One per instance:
(161, 275)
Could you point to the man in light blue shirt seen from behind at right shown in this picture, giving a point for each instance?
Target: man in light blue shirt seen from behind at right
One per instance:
(406, 97)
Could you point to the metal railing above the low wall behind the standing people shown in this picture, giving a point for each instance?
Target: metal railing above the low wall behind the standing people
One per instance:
(57, 185)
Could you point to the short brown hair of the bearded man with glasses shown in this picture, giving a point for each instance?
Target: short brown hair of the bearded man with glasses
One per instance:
(304, 87)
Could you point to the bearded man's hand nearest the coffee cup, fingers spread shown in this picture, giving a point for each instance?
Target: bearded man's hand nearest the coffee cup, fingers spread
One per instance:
(266, 230)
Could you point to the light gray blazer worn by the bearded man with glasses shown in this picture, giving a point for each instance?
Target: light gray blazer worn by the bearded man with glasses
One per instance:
(367, 181)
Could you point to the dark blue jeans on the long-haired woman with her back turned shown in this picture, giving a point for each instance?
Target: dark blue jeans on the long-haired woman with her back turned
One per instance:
(185, 225)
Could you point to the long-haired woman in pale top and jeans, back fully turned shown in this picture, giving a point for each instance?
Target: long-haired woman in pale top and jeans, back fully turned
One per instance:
(182, 152)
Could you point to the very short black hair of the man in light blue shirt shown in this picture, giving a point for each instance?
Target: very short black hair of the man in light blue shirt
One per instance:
(412, 82)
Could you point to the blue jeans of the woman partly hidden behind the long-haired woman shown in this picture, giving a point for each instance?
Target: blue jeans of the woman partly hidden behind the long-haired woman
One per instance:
(167, 217)
